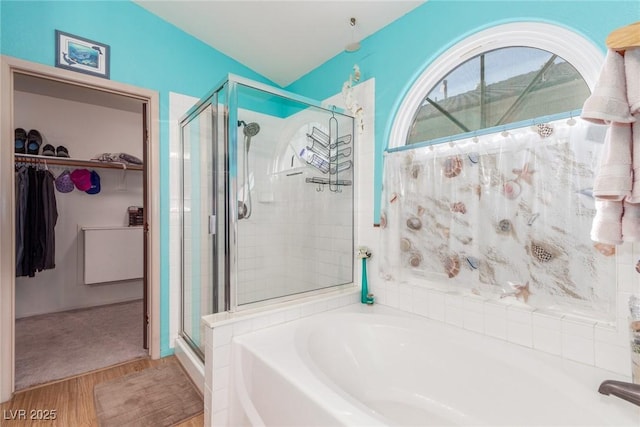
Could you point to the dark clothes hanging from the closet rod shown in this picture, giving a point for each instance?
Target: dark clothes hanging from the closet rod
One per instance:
(37, 210)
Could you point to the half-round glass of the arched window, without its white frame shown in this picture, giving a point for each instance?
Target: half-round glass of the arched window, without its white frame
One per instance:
(497, 88)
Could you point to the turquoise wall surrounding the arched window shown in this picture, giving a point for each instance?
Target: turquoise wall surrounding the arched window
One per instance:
(397, 54)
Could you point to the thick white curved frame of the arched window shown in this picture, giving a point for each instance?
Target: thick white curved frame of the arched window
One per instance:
(578, 51)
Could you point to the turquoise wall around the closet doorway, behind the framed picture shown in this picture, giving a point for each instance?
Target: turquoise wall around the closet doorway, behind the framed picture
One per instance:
(145, 52)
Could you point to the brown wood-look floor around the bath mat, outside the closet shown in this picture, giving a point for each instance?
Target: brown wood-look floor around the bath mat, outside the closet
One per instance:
(71, 400)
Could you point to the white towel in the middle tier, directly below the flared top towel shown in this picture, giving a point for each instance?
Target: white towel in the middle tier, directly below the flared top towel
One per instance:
(614, 177)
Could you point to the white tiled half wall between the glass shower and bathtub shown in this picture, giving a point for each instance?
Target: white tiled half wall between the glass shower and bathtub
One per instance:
(219, 334)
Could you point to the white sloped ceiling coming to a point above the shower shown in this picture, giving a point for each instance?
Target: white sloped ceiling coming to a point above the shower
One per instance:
(282, 40)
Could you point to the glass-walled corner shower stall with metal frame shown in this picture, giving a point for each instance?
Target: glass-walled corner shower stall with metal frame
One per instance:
(267, 201)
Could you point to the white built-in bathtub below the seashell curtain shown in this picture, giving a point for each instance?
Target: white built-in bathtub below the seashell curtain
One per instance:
(375, 366)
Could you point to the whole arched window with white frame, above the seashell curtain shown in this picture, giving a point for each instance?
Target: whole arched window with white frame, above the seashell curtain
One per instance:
(498, 78)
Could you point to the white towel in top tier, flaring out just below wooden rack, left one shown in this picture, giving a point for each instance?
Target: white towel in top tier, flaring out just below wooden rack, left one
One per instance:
(608, 102)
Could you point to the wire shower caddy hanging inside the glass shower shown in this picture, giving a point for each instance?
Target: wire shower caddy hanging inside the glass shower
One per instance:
(329, 154)
